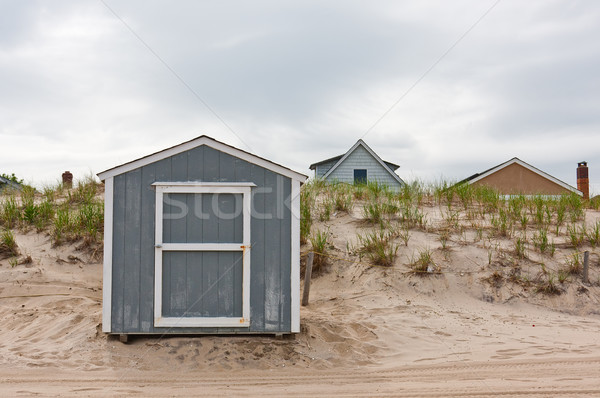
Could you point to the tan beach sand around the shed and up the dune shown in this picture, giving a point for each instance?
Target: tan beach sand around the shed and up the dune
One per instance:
(368, 331)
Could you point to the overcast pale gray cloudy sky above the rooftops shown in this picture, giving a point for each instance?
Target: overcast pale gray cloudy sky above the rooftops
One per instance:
(83, 89)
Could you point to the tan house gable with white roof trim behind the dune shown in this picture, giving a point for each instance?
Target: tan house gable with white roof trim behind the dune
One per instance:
(517, 177)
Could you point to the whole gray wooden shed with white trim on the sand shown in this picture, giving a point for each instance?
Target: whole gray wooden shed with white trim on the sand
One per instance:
(201, 238)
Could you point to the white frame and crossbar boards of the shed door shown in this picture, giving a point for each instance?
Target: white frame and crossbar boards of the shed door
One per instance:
(244, 247)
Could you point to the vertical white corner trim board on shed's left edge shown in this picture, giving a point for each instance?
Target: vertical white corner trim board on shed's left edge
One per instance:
(107, 263)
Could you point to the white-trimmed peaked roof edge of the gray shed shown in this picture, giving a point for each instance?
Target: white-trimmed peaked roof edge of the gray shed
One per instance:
(196, 142)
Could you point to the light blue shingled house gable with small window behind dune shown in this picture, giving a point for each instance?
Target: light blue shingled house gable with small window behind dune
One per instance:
(359, 165)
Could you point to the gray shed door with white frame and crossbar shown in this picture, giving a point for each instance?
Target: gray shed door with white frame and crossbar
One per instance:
(202, 254)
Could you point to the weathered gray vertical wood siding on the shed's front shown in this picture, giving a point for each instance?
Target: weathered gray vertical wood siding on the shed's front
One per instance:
(133, 249)
